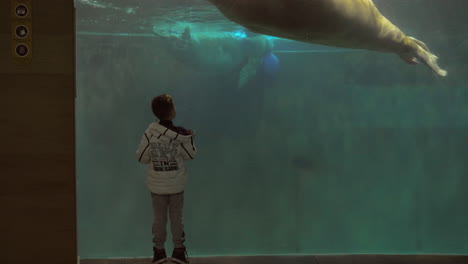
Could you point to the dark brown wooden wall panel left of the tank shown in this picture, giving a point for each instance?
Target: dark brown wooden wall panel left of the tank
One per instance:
(37, 131)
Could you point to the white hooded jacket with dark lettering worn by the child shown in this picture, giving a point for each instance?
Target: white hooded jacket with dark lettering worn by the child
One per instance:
(165, 151)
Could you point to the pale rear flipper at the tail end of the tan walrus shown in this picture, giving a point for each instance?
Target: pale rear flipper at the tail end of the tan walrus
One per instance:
(422, 54)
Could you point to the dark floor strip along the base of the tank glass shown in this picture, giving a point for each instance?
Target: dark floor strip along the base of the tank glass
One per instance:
(321, 259)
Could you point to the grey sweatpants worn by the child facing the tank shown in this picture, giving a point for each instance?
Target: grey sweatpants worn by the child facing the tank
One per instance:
(174, 203)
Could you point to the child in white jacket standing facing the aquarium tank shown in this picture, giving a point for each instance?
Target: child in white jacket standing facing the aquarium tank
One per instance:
(165, 147)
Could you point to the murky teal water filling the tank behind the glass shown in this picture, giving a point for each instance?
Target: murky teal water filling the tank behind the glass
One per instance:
(302, 149)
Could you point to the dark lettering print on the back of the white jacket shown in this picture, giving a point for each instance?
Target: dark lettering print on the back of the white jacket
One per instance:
(163, 156)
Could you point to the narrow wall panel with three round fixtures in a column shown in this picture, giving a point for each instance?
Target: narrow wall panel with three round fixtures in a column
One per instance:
(21, 30)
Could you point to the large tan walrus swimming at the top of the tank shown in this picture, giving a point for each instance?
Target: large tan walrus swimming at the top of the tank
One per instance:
(356, 24)
